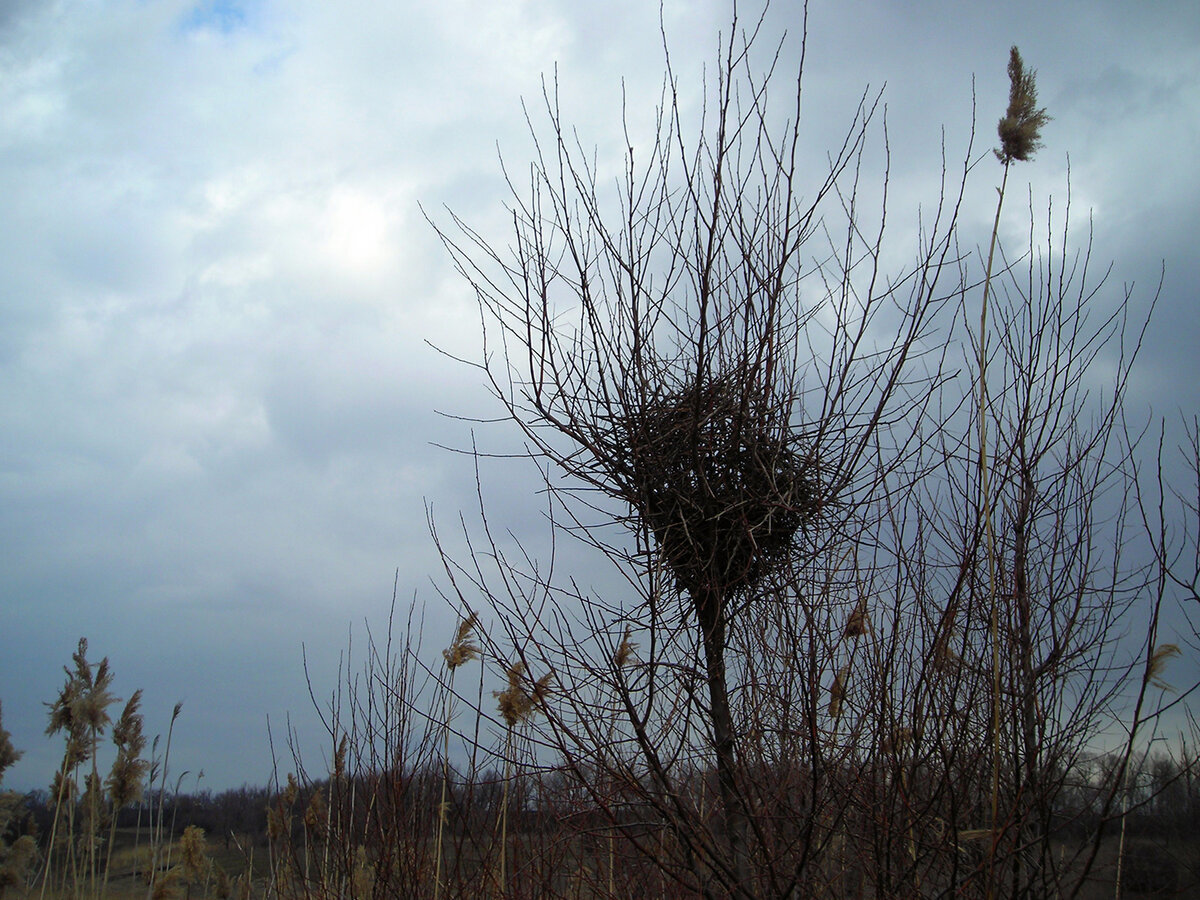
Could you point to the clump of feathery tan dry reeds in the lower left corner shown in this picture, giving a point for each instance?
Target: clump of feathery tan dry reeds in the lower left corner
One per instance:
(112, 837)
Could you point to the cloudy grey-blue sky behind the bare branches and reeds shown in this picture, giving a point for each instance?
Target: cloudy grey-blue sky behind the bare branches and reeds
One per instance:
(223, 416)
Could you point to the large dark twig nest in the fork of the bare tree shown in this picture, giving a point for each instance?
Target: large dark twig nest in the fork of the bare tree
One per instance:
(723, 483)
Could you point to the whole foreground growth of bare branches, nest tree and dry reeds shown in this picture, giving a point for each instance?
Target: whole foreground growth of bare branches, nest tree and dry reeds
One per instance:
(896, 592)
